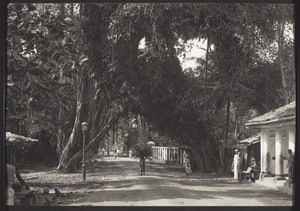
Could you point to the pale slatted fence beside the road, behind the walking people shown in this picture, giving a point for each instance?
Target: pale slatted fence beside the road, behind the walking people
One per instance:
(168, 154)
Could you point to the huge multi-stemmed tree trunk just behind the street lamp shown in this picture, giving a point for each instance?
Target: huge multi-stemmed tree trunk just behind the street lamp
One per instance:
(102, 116)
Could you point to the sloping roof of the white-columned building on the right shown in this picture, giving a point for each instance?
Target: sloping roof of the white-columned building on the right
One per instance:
(283, 114)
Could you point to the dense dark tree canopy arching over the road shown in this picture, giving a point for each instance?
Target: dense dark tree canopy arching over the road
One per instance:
(74, 62)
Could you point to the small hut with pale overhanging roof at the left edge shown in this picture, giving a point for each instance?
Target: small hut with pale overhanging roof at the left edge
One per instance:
(15, 142)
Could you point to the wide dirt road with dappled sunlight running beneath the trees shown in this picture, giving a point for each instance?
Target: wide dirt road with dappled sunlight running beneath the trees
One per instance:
(117, 182)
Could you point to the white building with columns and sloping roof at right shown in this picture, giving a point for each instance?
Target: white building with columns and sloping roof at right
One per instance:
(277, 130)
